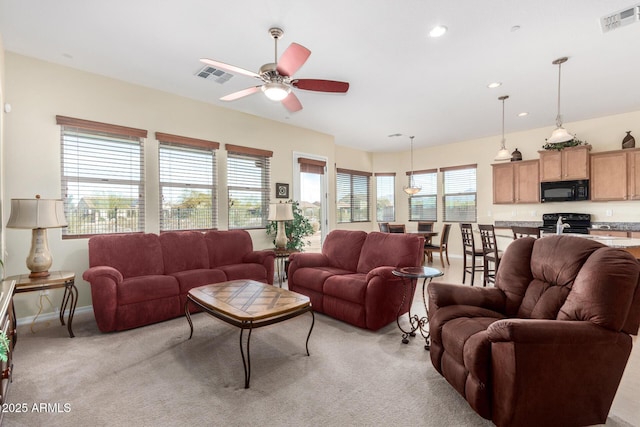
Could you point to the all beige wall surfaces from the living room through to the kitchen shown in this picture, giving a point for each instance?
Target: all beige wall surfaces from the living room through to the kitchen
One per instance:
(38, 91)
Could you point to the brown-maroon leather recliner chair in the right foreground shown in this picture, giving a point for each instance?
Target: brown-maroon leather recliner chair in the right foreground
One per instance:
(547, 346)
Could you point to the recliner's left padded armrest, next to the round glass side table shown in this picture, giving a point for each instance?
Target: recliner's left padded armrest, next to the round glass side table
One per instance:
(444, 294)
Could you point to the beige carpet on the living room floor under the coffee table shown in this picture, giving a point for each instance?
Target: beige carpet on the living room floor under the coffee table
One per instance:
(155, 376)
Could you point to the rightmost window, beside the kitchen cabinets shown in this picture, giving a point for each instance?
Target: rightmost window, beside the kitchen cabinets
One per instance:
(459, 198)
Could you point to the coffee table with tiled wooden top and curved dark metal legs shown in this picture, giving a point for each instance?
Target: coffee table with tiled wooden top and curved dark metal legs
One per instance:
(248, 304)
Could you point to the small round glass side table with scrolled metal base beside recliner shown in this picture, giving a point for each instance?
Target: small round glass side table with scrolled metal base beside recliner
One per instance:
(410, 276)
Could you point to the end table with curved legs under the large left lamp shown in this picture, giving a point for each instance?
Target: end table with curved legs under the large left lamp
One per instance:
(55, 280)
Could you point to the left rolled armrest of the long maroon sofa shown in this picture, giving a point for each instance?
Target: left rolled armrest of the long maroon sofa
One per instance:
(104, 282)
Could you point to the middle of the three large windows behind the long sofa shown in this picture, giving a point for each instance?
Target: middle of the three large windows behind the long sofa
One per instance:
(188, 189)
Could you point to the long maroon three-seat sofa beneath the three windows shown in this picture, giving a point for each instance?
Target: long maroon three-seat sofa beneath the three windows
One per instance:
(143, 278)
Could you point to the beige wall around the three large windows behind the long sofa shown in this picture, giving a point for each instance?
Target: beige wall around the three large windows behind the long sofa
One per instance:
(38, 91)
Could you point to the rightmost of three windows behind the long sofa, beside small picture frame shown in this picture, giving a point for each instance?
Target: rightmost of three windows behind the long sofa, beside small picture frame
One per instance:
(248, 177)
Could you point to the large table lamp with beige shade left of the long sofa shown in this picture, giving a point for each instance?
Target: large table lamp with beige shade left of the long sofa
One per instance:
(37, 214)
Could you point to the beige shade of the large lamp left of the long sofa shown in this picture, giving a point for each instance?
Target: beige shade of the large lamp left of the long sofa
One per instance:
(36, 213)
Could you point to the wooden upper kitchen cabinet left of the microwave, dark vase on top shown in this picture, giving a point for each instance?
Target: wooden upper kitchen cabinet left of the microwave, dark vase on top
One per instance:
(516, 182)
